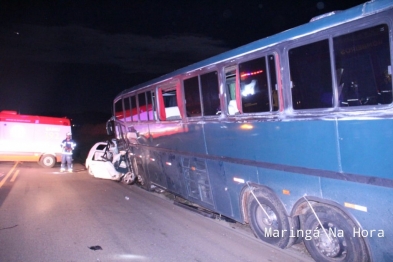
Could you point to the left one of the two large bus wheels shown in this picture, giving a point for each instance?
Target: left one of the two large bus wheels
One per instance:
(271, 231)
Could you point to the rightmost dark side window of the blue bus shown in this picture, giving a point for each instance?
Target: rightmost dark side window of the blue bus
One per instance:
(362, 65)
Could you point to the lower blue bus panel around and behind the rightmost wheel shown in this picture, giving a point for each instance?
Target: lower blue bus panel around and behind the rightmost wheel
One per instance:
(373, 211)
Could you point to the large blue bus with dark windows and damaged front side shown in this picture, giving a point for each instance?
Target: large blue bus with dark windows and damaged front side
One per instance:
(291, 134)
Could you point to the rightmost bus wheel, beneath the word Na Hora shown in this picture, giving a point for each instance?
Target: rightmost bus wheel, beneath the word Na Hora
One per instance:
(342, 246)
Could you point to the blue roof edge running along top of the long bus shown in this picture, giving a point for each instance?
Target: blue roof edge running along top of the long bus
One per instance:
(335, 18)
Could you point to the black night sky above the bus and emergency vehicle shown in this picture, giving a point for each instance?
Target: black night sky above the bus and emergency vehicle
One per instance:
(73, 57)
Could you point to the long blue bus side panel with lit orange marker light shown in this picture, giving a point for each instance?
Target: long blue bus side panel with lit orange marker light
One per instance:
(309, 144)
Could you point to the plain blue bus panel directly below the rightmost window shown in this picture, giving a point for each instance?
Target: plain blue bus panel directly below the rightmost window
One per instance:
(365, 145)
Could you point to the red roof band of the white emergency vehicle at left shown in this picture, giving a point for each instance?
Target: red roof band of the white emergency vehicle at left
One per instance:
(13, 116)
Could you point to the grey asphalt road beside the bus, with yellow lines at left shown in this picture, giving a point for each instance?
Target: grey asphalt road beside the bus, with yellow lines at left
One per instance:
(50, 216)
